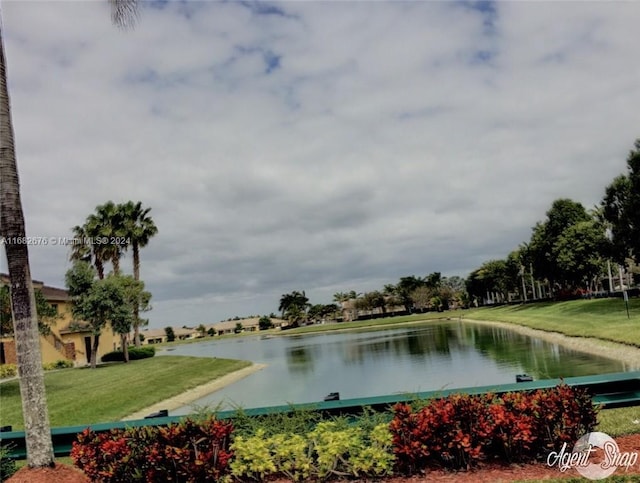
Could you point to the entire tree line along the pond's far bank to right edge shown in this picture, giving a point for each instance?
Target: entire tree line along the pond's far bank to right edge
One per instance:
(572, 251)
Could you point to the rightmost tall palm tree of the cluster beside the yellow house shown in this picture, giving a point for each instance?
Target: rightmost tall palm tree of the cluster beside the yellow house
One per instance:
(139, 228)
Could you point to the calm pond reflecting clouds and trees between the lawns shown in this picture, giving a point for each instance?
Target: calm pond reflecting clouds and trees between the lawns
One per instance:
(434, 356)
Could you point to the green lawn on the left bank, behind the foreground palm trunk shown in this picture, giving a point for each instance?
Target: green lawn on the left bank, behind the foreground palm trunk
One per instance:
(113, 391)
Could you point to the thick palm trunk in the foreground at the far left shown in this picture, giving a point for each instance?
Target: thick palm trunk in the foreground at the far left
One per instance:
(23, 305)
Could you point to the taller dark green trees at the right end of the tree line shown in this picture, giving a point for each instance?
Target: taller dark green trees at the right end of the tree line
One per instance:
(573, 250)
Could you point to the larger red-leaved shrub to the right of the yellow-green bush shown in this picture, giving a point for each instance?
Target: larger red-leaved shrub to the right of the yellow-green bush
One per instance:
(460, 430)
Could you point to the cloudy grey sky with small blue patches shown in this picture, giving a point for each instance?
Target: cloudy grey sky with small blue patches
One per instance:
(323, 146)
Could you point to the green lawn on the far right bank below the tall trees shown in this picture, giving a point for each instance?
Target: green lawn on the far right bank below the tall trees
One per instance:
(601, 318)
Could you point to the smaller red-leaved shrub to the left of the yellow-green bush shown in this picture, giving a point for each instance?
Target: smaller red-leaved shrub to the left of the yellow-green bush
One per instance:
(188, 452)
